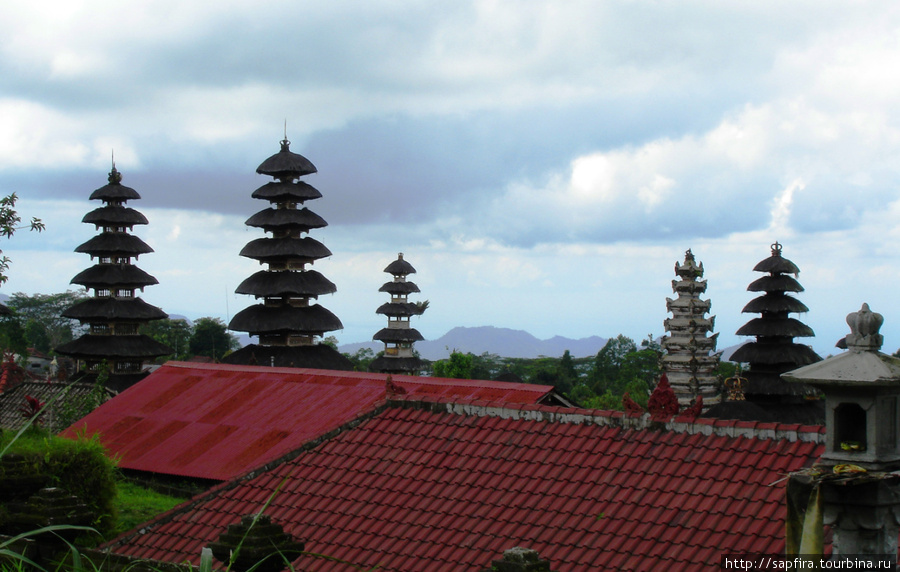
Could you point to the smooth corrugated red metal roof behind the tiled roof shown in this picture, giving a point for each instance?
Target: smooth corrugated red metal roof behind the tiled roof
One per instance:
(217, 421)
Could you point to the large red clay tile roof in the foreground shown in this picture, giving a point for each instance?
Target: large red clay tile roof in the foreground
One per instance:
(438, 486)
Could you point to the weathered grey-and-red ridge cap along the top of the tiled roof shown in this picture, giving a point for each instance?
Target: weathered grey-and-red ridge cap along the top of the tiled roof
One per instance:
(679, 424)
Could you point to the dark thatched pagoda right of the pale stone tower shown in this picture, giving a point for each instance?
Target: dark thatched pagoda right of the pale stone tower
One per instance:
(774, 352)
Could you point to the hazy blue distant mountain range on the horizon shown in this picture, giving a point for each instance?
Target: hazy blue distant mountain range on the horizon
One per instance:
(501, 341)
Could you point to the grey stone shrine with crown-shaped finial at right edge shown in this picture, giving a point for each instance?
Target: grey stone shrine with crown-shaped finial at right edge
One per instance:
(854, 480)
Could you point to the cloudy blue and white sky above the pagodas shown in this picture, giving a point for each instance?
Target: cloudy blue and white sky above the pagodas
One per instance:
(542, 164)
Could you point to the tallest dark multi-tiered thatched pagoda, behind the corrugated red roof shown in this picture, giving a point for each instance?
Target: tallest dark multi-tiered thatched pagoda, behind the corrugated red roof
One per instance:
(287, 321)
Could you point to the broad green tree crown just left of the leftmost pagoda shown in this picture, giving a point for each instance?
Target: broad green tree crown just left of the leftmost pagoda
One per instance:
(41, 317)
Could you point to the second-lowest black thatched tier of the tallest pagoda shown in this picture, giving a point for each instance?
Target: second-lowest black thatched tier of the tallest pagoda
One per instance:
(260, 319)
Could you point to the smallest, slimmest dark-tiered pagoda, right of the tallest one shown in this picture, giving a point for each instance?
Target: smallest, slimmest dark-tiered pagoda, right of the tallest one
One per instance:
(399, 336)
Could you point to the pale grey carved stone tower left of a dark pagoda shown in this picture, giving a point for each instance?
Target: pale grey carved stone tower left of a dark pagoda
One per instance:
(690, 362)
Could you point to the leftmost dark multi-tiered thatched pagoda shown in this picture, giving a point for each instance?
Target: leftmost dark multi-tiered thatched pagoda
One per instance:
(114, 313)
